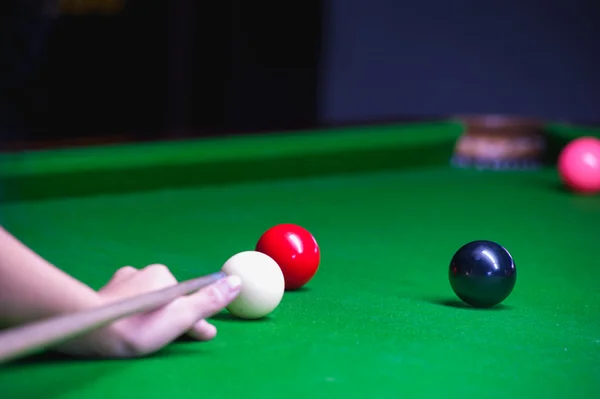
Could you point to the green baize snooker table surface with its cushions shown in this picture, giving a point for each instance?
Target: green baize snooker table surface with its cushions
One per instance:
(379, 318)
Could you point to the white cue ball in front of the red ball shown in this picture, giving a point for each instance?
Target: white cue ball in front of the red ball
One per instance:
(262, 287)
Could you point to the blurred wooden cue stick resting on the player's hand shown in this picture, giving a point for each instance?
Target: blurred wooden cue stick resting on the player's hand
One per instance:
(23, 340)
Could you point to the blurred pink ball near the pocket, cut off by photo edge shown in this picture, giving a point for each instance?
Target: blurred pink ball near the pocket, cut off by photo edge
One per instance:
(579, 165)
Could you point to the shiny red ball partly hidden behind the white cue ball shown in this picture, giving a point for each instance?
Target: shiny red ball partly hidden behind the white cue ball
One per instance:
(295, 250)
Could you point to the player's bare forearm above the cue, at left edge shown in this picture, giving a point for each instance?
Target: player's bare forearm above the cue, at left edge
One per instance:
(31, 288)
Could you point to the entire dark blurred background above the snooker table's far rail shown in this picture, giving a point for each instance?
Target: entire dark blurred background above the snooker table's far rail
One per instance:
(86, 70)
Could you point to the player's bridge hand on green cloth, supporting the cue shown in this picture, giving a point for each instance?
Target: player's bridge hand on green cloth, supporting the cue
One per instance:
(144, 333)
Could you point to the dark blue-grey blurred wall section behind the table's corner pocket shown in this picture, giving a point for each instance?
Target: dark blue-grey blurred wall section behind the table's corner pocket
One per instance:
(531, 57)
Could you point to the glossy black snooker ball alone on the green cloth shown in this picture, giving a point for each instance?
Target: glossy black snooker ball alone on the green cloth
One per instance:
(482, 273)
